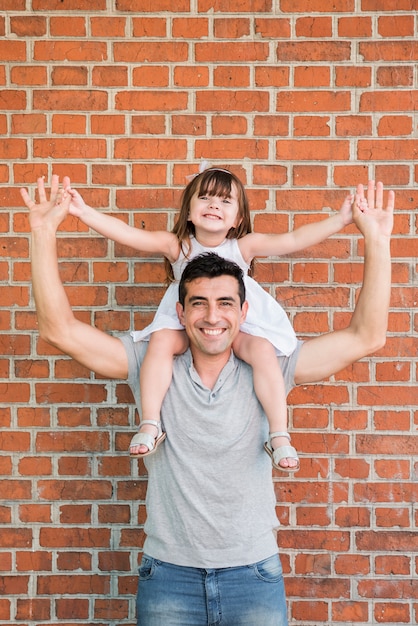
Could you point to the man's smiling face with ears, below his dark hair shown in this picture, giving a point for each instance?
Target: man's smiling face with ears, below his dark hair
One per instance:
(212, 314)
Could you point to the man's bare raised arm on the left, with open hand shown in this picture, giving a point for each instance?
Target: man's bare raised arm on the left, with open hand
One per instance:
(89, 346)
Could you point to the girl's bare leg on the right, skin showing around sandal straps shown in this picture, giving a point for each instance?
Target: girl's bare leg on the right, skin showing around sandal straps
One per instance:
(268, 385)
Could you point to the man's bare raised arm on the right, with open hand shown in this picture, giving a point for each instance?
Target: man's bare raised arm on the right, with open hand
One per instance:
(325, 355)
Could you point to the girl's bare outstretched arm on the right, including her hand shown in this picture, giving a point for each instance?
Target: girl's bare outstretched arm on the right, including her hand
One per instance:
(261, 244)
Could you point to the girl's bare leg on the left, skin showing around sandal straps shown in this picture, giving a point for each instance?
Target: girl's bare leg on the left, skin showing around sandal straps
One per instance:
(155, 378)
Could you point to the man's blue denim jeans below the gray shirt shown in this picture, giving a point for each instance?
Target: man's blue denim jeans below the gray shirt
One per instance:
(172, 595)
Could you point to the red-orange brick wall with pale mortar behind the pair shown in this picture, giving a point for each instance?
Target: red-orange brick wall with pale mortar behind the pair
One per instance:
(302, 100)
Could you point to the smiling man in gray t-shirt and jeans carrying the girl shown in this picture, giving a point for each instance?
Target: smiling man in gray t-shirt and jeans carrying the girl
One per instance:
(210, 555)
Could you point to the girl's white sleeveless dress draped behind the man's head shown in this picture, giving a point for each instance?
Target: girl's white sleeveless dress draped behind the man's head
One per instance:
(265, 317)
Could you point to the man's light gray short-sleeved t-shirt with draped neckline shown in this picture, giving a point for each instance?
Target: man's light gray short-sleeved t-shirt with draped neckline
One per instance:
(210, 496)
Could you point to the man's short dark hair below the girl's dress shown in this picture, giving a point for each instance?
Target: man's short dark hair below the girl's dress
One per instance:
(210, 265)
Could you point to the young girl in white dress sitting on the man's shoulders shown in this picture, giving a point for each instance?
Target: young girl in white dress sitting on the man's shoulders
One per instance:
(215, 217)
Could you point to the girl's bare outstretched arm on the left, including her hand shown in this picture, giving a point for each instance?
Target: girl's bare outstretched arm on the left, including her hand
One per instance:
(158, 242)
